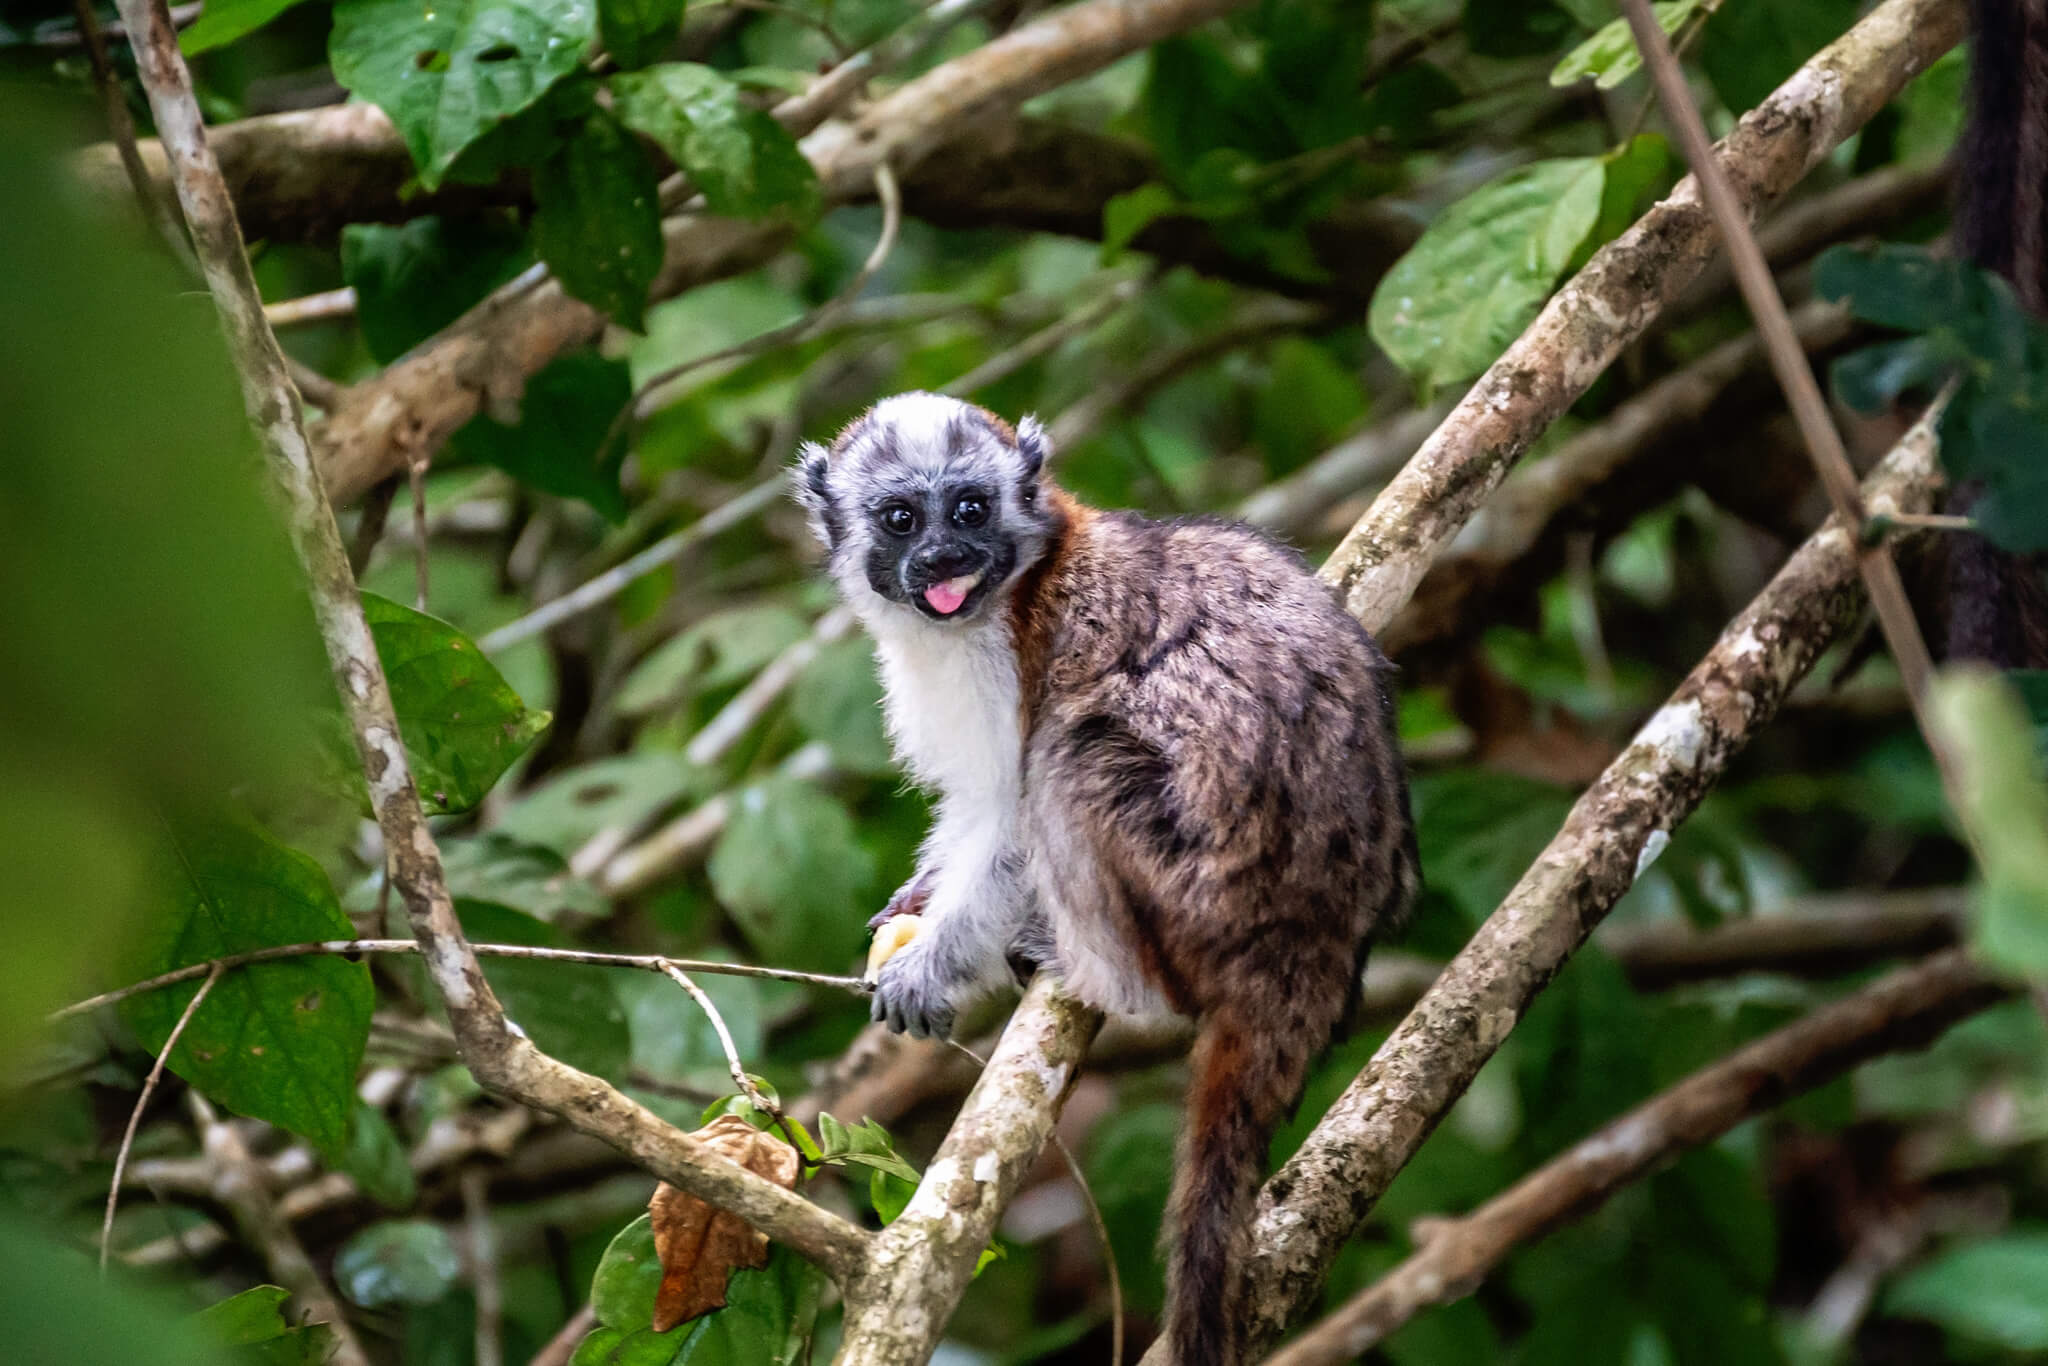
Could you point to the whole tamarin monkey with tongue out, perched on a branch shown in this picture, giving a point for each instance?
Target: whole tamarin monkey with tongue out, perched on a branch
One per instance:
(1166, 769)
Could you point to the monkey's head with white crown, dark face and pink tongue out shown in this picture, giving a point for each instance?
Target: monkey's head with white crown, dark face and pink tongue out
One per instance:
(929, 505)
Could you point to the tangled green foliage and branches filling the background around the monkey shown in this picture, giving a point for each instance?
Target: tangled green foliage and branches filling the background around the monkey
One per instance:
(447, 798)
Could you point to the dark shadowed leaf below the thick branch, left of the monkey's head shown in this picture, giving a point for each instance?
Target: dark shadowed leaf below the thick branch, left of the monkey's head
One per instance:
(562, 423)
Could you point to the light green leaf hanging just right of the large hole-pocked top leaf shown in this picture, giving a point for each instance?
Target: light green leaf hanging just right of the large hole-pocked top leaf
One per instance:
(744, 163)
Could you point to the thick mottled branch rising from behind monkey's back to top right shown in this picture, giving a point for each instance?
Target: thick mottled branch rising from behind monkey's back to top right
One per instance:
(1617, 296)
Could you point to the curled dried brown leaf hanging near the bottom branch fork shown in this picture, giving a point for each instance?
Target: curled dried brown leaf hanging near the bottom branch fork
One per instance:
(699, 1244)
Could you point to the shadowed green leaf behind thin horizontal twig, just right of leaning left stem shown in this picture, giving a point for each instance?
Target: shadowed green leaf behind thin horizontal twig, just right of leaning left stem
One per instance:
(568, 1009)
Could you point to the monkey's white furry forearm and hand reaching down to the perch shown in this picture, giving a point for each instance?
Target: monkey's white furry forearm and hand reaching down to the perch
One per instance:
(972, 882)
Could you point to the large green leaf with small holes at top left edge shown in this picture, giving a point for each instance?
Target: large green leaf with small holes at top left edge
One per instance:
(450, 73)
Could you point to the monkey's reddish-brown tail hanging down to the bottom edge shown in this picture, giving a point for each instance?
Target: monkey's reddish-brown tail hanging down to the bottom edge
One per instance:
(1246, 1078)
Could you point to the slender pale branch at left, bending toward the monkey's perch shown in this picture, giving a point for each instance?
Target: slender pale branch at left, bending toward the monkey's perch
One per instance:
(499, 1054)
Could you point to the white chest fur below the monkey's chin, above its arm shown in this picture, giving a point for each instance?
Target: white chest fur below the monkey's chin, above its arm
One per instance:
(953, 708)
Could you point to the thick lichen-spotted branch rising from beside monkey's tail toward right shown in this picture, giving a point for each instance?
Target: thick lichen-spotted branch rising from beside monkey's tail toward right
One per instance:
(1615, 830)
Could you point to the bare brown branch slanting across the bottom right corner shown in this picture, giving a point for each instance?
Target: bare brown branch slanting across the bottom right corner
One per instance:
(1904, 1011)
